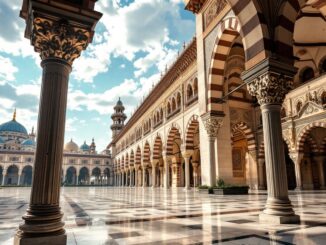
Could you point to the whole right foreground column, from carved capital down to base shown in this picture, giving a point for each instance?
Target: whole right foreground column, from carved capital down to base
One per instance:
(270, 84)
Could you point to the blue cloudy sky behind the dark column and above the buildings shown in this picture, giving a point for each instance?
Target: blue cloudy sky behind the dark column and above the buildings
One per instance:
(133, 44)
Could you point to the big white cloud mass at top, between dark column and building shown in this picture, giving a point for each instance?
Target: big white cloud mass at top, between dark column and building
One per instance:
(139, 32)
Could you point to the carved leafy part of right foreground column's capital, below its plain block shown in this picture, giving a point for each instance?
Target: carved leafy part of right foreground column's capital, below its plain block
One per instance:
(270, 88)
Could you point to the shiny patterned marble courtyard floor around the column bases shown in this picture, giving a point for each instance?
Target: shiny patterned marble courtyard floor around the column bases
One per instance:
(100, 215)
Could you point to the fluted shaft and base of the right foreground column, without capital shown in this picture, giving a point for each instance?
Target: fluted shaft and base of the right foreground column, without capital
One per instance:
(278, 207)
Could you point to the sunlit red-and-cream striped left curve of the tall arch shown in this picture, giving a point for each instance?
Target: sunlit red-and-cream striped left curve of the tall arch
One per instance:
(229, 30)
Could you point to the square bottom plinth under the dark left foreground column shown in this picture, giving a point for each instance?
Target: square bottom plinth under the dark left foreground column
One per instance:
(49, 240)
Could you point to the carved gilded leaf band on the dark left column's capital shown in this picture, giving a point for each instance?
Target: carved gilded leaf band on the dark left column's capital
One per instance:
(58, 39)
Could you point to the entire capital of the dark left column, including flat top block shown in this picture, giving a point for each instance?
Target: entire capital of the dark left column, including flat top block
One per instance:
(62, 36)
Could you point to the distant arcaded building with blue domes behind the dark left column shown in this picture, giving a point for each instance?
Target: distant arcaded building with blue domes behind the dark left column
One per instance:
(82, 165)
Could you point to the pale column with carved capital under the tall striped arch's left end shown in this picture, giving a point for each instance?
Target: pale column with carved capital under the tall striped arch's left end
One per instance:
(212, 125)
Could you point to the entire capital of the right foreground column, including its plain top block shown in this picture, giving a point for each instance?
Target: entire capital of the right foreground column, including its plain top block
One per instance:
(270, 80)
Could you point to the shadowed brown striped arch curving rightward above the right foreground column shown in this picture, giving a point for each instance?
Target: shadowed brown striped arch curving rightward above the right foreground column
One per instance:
(285, 29)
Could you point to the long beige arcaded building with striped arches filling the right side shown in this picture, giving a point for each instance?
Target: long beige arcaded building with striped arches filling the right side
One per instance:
(204, 121)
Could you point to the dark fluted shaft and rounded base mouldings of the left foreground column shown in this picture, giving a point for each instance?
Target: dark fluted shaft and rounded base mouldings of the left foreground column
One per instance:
(44, 214)
